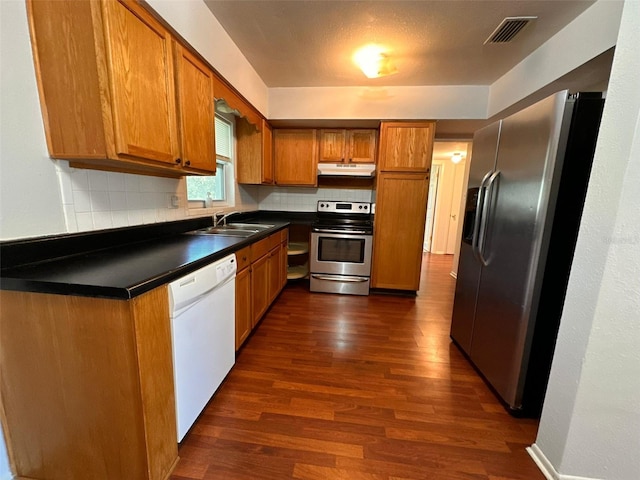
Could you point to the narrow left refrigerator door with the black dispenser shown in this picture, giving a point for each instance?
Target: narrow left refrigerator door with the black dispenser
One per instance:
(483, 160)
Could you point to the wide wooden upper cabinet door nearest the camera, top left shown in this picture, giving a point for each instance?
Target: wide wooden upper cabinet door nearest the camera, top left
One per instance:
(140, 64)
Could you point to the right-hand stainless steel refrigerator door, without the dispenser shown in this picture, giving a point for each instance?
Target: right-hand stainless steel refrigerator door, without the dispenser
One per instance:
(513, 235)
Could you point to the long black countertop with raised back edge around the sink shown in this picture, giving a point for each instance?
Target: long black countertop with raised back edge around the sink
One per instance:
(121, 263)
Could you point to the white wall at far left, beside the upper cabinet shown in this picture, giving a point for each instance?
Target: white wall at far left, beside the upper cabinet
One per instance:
(30, 202)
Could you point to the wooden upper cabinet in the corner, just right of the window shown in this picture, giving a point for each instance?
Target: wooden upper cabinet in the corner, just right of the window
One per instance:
(255, 156)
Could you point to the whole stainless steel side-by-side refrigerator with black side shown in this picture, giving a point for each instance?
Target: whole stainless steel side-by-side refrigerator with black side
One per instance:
(527, 184)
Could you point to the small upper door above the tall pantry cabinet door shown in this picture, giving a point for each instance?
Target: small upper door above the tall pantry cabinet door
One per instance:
(406, 146)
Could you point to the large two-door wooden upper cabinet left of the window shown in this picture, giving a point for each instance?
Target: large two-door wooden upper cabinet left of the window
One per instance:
(108, 89)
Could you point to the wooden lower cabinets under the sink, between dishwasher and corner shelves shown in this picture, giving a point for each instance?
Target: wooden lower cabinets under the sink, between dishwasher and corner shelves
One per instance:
(261, 277)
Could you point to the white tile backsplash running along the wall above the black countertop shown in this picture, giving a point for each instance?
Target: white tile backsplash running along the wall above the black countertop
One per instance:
(96, 200)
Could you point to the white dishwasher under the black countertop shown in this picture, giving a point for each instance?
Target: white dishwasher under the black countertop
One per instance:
(202, 306)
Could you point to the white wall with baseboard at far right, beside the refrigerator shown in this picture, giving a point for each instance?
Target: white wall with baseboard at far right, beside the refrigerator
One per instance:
(590, 426)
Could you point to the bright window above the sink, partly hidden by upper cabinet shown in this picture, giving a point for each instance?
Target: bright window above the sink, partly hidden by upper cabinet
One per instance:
(220, 186)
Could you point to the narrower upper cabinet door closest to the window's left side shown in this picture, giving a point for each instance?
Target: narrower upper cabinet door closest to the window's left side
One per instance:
(196, 112)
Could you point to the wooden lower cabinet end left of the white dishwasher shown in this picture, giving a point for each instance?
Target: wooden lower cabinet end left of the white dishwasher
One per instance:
(87, 386)
